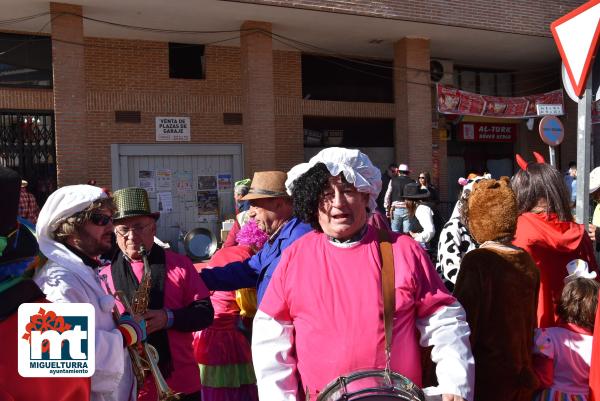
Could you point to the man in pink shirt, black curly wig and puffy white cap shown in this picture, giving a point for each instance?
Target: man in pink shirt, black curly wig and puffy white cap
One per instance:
(321, 316)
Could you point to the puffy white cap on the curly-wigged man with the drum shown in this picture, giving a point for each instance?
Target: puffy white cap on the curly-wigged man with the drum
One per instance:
(356, 166)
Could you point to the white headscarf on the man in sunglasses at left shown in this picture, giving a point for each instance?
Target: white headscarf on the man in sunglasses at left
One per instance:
(63, 203)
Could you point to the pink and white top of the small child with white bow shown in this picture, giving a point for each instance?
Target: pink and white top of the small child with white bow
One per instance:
(570, 348)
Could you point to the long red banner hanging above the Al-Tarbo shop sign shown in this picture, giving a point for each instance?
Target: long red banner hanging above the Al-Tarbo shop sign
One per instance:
(455, 101)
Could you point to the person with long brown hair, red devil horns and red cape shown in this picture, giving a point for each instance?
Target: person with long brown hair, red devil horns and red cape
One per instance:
(547, 231)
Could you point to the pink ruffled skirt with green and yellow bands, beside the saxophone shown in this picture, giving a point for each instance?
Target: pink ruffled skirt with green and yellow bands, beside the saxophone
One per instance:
(225, 360)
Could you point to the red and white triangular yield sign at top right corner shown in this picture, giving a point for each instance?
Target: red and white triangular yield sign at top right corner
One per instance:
(576, 35)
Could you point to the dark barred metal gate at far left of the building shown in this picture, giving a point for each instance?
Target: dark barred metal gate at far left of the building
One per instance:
(27, 145)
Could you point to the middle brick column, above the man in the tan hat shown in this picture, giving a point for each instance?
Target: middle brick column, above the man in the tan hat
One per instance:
(258, 97)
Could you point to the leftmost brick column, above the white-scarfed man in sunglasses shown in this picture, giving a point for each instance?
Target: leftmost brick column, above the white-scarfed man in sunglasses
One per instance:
(69, 94)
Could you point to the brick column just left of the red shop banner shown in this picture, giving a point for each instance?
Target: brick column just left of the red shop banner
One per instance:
(412, 95)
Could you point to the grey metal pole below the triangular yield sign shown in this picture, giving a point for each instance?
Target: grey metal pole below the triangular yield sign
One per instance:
(584, 134)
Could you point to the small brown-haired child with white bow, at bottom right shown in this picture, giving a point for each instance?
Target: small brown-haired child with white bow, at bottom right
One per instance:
(563, 353)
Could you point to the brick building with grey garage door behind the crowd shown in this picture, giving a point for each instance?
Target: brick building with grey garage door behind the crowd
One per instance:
(272, 82)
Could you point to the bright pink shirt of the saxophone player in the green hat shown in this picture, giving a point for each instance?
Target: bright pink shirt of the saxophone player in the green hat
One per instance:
(182, 287)
